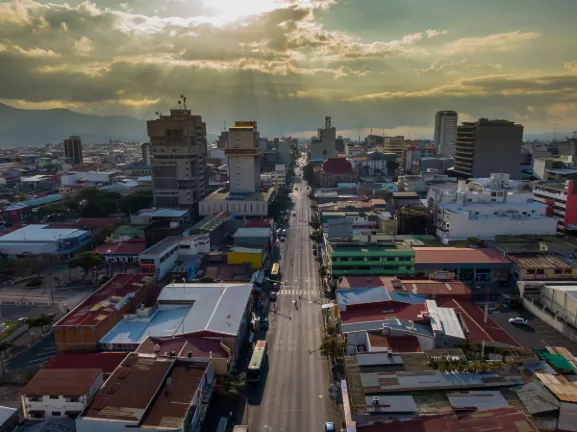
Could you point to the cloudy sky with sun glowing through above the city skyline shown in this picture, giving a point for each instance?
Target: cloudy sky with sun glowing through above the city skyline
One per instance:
(385, 65)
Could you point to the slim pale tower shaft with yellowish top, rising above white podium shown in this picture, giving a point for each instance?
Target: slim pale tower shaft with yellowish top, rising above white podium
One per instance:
(243, 151)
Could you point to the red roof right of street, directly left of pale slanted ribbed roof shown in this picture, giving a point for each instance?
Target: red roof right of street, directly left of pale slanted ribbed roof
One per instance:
(382, 310)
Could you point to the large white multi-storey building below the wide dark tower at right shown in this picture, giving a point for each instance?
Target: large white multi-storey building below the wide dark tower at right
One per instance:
(485, 208)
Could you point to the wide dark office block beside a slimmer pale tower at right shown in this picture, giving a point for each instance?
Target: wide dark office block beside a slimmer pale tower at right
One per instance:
(489, 146)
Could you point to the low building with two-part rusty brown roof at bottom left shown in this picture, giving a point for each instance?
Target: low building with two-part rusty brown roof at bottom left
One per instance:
(151, 392)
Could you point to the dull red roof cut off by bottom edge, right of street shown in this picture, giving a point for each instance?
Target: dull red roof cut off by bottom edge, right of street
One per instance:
(508, 419)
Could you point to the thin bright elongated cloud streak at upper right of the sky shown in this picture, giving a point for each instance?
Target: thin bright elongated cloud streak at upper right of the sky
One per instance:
(495, 42)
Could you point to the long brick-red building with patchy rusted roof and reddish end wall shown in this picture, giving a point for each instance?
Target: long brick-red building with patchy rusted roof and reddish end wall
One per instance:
(82, 328)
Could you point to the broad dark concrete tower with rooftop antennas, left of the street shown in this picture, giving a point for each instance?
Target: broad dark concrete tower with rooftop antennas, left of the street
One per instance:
(179, 152)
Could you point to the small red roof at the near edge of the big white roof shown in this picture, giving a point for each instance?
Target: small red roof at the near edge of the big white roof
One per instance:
(199, 347)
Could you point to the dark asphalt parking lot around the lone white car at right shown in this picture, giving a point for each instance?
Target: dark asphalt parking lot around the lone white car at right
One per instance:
(535, 335)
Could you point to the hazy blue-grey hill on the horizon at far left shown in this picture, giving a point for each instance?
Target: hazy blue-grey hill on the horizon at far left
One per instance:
(36, 127)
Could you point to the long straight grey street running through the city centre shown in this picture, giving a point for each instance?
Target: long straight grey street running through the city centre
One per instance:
(295, 394)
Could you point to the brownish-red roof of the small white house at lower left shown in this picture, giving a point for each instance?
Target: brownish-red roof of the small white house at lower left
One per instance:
(69, 382)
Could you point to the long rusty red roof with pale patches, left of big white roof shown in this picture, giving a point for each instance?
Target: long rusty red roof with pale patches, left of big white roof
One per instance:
(110, 297)
